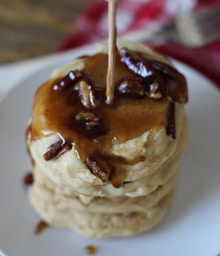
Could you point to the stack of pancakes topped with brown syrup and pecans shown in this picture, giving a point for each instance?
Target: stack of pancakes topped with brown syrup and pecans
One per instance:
(108, 171)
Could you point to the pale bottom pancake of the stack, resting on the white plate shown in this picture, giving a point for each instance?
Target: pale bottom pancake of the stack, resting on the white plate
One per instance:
(101, 217)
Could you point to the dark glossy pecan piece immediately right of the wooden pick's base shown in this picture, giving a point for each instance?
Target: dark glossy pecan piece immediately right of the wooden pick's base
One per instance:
(130, 88)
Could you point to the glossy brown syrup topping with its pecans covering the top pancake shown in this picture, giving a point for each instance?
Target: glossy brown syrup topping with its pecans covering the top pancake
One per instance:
(74, 106)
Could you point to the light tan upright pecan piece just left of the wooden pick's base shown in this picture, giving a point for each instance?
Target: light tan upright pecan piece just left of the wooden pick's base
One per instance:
(87, 95)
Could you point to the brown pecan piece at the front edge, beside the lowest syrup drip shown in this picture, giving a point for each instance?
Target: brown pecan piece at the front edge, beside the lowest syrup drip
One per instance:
(99, 167)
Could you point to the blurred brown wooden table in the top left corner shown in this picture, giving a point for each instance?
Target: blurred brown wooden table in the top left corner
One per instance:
(30, 28)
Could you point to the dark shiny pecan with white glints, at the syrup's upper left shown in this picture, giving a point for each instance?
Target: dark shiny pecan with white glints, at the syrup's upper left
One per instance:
(69, 80)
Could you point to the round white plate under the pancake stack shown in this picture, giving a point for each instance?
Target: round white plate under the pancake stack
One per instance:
(192, 225)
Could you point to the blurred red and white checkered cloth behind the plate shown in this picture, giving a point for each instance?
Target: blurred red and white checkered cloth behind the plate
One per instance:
(134, 15)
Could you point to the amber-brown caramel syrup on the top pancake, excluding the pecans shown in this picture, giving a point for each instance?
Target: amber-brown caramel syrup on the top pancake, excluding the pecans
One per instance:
(55, 111)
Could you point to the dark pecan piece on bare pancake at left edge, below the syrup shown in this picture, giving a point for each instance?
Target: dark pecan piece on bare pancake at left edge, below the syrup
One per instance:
(57, 149)
